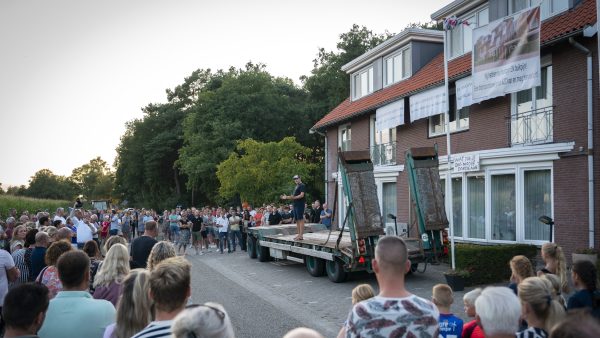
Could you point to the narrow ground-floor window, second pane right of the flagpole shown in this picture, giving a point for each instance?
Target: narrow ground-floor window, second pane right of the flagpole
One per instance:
(476, 206)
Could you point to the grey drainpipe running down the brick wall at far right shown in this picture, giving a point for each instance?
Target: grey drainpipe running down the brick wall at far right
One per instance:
(590, 151)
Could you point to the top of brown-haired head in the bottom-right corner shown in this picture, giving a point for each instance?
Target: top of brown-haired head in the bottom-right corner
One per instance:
(577, 324)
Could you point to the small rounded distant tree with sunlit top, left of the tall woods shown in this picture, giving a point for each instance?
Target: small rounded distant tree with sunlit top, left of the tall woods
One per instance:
(94, 179)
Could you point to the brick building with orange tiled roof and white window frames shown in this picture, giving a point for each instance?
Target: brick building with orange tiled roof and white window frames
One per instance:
(531, 146)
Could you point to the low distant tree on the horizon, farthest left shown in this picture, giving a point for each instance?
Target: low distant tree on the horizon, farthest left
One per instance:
(45, 184)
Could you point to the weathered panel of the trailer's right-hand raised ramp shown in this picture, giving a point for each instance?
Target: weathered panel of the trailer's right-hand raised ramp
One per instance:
(431, 198)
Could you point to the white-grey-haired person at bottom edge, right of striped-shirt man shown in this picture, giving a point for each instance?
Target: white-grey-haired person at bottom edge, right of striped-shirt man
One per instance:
(207, 320)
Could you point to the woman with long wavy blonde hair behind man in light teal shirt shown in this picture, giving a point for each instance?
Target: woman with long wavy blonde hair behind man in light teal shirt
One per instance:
(114, 269)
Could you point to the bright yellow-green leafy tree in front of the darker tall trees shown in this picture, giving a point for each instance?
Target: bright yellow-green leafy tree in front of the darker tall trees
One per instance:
(261, 172)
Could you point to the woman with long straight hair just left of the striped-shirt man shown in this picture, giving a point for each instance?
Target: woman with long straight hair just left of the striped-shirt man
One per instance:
(134, 295)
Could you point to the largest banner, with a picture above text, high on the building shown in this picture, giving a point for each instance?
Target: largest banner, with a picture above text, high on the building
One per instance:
(506, 55)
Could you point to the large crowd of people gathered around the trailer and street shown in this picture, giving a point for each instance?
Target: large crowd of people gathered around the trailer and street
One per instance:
(94, 267)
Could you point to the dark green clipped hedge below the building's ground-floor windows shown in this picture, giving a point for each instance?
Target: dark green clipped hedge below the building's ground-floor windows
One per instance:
(490, 263)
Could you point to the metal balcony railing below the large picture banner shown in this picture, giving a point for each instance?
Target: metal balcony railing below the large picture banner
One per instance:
(532, 127)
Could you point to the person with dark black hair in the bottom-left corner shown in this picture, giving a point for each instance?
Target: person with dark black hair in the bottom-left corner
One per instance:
(24, 310)
